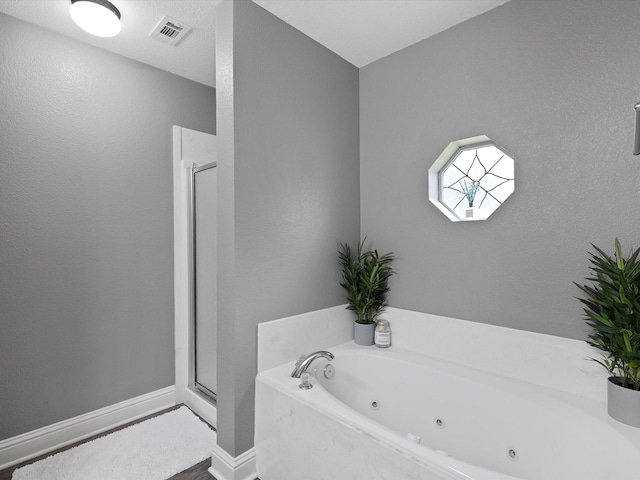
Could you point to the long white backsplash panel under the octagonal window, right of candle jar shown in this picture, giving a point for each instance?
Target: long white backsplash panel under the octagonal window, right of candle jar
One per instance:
(546, 360)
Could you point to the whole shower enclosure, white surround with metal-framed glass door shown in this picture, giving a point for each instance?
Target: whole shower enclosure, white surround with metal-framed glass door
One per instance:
(195, 270)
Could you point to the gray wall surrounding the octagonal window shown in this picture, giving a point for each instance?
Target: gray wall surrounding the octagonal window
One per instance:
(554, 82)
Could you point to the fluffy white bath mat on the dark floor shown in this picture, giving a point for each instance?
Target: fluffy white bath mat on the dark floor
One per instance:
(155, 449)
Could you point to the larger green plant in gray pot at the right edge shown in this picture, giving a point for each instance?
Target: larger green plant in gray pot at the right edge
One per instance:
(612, 310)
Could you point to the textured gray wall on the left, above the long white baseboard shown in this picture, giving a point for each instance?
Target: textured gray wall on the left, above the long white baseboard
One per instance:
(86, 224)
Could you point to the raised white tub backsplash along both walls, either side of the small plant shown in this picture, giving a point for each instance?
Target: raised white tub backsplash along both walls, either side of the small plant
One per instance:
(554, 362)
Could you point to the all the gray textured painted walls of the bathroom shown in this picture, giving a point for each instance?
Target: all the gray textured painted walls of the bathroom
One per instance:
(85, 190)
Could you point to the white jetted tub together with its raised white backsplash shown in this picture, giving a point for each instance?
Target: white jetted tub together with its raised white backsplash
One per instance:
(506, 389)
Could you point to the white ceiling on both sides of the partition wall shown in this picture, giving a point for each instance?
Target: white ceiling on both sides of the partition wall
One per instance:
(360, 31)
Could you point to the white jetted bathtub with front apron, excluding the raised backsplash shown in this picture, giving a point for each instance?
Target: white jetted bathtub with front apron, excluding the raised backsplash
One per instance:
(397, 415)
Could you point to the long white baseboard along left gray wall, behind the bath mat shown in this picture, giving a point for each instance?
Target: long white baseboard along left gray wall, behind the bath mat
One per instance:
(32, 444)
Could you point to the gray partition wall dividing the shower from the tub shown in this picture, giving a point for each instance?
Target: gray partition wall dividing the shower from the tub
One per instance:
(288, 164)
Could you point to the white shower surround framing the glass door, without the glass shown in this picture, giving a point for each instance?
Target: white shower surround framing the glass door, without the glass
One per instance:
(190, 149)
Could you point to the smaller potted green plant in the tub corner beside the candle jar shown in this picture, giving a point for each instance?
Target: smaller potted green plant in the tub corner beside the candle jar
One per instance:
(365, 277)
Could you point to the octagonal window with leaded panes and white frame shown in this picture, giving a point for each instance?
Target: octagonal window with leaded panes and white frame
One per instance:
(471, 179)
